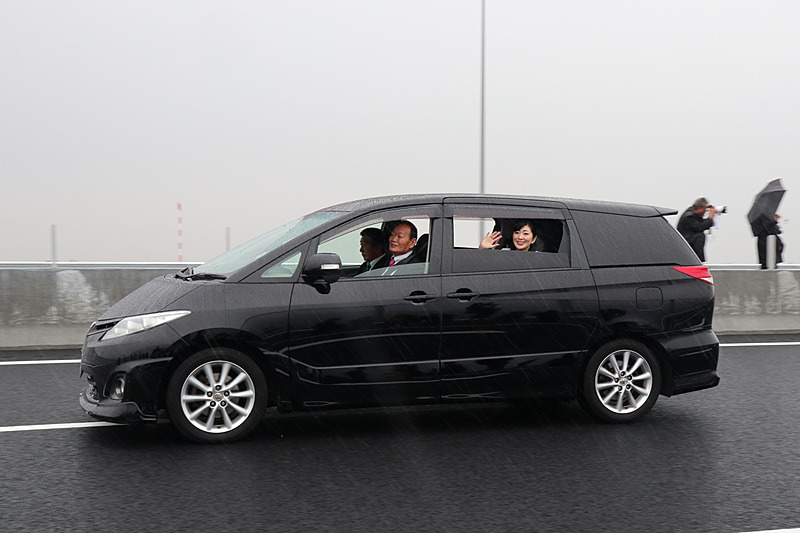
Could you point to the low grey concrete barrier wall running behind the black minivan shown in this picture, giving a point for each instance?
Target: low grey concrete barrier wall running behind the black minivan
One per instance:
(54, 306)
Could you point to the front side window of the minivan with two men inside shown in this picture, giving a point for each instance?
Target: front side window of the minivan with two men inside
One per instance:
(367, 246)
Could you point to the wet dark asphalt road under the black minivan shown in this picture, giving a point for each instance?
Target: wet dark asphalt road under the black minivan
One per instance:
(725, 459)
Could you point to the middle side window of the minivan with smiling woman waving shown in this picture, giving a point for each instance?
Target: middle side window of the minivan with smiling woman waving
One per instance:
(506, 240)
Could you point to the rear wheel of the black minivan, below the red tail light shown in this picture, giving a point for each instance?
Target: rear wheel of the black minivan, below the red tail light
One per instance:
(621, 382)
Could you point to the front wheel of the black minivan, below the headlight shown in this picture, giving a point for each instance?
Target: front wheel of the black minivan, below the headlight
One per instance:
(216, 395)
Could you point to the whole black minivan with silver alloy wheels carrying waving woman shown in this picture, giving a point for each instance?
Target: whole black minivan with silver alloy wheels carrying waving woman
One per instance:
(608, 305)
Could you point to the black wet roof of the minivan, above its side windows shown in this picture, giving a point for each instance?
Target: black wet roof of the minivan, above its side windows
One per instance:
(574, 204)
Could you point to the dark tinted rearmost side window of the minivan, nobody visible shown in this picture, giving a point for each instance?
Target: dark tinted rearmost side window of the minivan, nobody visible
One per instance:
(618, 240)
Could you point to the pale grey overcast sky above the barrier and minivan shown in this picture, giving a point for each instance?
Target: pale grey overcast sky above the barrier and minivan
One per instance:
(254, 113)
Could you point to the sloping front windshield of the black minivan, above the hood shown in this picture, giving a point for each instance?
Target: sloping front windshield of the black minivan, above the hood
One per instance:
(248, 252)
